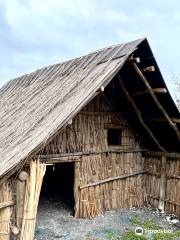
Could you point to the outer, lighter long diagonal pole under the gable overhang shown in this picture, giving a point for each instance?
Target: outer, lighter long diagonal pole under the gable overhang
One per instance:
(159, 105)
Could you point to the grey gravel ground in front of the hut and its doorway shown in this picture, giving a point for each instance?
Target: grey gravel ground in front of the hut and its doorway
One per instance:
(55, 221)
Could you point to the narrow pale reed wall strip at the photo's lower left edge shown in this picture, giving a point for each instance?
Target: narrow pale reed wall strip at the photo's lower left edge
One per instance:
(5, 212)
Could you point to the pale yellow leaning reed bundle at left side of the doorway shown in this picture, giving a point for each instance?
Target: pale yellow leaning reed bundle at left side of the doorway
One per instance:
(33, 188)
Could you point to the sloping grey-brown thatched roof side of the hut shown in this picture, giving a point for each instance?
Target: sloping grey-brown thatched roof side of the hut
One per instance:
(37, 105)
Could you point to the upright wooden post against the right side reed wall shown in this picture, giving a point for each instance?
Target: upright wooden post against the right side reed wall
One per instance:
(162, 186)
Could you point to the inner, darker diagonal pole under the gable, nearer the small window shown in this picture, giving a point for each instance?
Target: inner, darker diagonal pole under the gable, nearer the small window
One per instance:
(139, 114)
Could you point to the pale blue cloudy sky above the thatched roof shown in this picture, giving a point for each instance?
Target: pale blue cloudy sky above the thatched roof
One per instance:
(36, 33)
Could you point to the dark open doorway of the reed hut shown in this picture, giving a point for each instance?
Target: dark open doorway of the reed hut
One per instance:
(57, 194)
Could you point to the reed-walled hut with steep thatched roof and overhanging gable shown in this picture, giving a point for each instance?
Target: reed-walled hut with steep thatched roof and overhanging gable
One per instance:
(121, 82)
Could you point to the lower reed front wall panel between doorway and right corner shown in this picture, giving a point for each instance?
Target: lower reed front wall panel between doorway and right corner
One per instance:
(98, 194)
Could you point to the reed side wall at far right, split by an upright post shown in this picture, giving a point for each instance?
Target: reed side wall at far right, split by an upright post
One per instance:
(172, 188)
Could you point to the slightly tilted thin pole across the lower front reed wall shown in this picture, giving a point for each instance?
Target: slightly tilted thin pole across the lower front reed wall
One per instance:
(113, 179)
